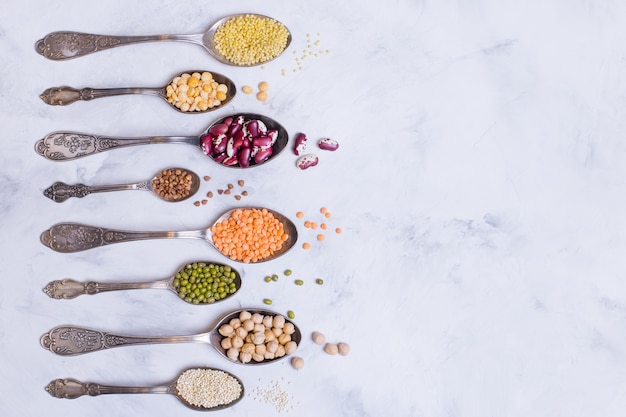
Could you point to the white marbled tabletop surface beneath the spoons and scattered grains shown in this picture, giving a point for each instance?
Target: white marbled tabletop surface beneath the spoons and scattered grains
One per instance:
(480, 186)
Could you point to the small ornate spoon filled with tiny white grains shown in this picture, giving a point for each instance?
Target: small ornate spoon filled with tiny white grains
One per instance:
(202, 389)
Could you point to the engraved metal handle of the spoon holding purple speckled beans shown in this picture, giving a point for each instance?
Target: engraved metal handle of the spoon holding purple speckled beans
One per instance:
(64, 146)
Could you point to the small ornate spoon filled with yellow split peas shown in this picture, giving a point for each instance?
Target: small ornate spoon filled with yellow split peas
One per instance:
(188, 92)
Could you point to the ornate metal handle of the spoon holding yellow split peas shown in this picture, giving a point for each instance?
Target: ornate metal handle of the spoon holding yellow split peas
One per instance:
(62, 96)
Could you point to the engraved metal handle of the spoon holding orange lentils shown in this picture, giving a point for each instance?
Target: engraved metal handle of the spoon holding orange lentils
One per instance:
(74, 237)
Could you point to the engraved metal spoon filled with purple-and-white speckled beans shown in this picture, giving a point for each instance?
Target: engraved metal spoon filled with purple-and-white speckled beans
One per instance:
(240, 140)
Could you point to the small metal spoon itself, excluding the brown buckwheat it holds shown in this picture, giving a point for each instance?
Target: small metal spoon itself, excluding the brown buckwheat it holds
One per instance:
(59, 191)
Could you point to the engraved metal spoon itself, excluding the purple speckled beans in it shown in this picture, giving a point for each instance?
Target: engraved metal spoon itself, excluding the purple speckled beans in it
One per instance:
(65, 146)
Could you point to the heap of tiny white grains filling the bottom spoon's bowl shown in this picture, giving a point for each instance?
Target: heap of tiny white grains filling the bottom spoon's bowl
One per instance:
(208, 388)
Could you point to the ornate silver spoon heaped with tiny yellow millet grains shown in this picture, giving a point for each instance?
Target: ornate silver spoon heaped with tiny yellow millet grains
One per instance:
(243, 39)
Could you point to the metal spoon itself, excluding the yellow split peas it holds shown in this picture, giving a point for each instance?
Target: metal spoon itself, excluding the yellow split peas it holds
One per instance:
(62, 96)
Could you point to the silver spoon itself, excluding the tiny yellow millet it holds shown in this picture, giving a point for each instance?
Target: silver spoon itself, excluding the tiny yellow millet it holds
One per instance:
(67, 45)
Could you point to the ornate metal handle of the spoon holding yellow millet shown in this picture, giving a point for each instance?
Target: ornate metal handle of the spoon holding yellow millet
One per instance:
(60, 46)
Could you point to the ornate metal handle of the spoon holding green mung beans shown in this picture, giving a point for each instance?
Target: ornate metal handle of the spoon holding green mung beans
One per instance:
(69, 288)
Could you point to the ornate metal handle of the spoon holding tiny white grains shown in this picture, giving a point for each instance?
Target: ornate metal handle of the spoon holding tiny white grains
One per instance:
(71, 388)
